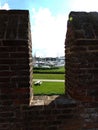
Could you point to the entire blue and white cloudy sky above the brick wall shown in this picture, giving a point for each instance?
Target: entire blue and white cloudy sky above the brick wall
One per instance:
(48, 20)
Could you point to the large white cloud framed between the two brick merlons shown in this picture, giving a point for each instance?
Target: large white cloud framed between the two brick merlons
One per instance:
(48, 33)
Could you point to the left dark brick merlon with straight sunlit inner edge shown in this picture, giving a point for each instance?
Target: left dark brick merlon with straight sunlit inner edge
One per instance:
(15, 57)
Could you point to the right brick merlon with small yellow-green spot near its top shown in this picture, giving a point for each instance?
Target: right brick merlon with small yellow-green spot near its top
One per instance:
(82, 56)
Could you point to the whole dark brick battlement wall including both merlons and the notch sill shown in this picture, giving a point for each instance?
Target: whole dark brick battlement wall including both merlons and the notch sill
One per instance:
(78, 109)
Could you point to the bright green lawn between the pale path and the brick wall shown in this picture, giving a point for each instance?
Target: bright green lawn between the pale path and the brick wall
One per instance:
(49, 88)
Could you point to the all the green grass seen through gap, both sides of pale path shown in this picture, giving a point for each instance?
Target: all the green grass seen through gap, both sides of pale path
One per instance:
(49, 88)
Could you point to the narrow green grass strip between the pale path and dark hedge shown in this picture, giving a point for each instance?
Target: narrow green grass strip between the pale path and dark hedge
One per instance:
(48, 76)
